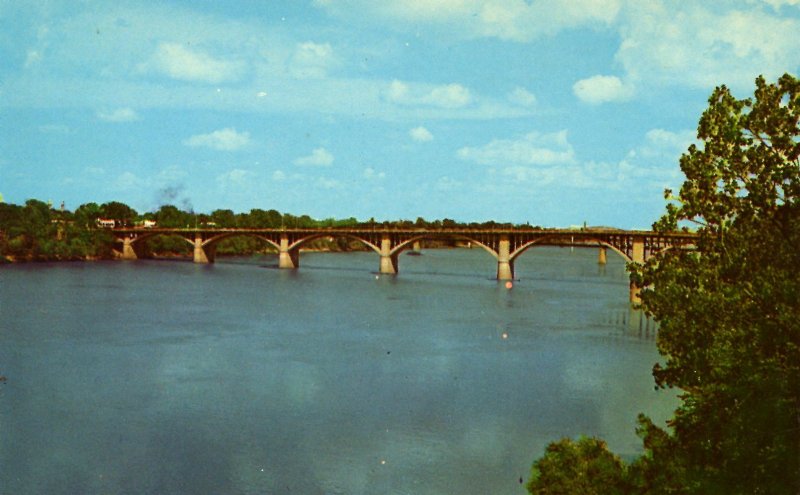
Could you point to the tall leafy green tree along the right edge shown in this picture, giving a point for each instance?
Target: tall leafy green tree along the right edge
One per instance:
(729, 310)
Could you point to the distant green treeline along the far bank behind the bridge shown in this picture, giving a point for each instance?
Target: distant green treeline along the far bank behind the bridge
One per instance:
(36, 231)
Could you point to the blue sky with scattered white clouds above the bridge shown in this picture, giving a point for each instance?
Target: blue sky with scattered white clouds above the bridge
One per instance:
(553, 113)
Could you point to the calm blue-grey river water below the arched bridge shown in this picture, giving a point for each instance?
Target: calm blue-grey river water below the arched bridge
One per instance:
(160, 377)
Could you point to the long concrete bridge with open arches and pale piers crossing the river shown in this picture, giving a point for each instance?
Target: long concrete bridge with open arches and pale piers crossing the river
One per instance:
(505, 245)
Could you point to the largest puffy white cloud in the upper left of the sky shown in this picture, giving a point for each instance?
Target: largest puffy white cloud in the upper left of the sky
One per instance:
(180, 62)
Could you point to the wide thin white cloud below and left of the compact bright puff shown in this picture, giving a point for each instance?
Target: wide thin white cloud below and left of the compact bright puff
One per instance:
(532, 149)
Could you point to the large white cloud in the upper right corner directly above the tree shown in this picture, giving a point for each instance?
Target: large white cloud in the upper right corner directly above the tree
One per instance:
(687, 44)
